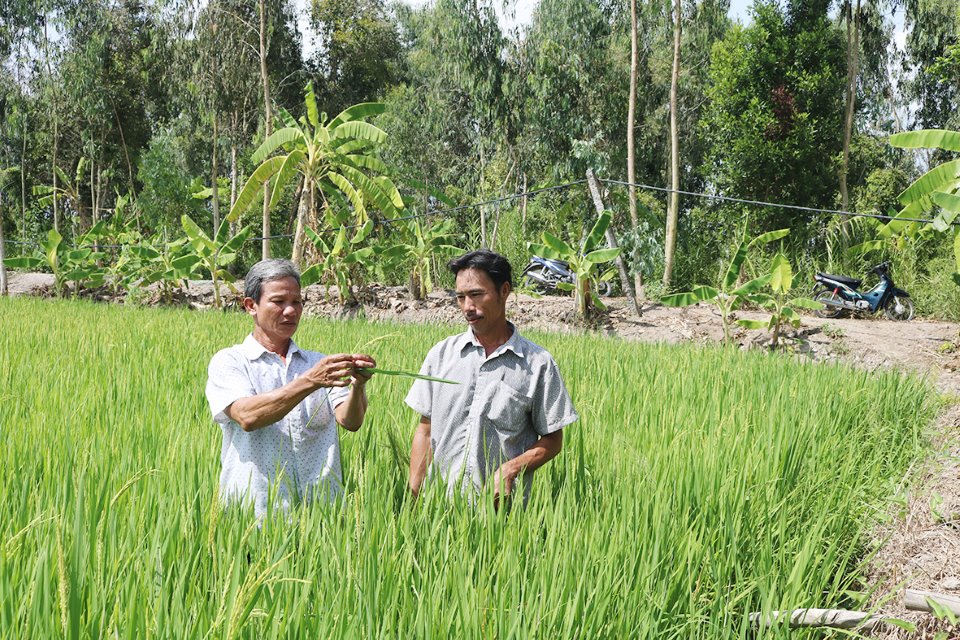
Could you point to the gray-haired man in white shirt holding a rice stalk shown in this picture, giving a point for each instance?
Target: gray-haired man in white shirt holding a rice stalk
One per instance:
(278, 405)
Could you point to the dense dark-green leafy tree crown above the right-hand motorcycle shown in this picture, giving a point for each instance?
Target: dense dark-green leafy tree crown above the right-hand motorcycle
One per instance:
(774, 113)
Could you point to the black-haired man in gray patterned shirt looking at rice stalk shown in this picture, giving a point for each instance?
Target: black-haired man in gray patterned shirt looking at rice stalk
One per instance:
(505, 418)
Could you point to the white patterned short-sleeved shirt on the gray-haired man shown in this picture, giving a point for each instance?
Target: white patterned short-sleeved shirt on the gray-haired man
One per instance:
(302, 450)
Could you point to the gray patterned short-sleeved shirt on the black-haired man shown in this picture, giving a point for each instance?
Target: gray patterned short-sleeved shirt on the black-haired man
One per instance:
(501, 407)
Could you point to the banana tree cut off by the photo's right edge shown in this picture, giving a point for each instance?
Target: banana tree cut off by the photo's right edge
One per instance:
(934, 192)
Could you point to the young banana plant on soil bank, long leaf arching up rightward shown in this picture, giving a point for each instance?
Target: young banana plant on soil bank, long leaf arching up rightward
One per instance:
(727, 296)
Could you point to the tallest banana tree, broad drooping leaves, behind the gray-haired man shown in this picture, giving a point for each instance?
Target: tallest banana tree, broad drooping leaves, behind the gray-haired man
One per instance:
(332, 157)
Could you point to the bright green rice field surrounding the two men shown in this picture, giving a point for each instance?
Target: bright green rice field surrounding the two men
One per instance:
(699, 485)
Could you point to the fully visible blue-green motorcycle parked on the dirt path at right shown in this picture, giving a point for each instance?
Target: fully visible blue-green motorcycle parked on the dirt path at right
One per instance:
(839, 294)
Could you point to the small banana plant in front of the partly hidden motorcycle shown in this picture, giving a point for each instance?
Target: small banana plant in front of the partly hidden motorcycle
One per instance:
(584, 264)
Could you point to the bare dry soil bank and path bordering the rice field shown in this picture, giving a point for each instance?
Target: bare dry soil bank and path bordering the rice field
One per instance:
(919, 545)
